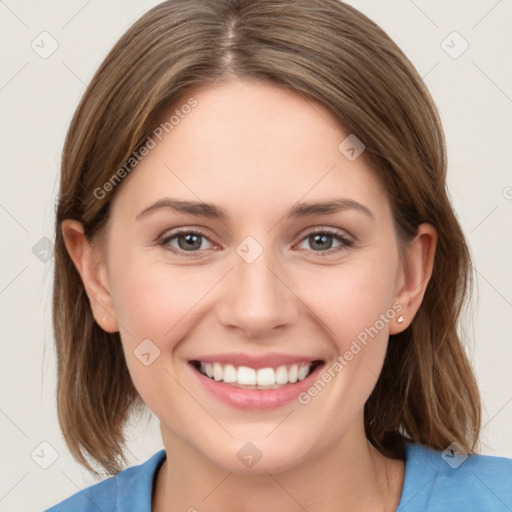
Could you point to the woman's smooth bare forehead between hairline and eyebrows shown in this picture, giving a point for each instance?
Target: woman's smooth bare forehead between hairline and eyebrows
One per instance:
(251, 146)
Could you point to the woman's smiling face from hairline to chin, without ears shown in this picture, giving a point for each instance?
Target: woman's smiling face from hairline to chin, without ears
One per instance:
(274, 283)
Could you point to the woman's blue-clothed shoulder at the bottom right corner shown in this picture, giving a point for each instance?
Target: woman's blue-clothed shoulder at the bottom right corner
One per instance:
(453, 480)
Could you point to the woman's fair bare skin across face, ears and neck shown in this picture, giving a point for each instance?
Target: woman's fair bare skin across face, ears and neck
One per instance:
(255, 150)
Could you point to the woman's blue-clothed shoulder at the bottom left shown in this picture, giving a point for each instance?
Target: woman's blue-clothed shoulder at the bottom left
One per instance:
(120, 493)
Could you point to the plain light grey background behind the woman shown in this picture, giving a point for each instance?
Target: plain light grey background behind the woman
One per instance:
(37, 98)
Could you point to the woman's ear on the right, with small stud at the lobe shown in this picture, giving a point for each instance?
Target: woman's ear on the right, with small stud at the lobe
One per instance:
(415, 275)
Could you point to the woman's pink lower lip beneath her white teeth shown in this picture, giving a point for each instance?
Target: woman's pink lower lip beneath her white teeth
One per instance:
(254, 398)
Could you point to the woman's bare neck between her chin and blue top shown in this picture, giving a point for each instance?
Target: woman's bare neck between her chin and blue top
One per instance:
(352, 475)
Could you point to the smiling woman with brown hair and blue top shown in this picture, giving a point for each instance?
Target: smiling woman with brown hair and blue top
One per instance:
(254, 240)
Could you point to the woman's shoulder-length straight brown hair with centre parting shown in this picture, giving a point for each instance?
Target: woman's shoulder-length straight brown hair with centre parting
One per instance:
(324, 50)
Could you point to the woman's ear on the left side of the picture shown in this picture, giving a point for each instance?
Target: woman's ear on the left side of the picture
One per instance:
(89, 263)
